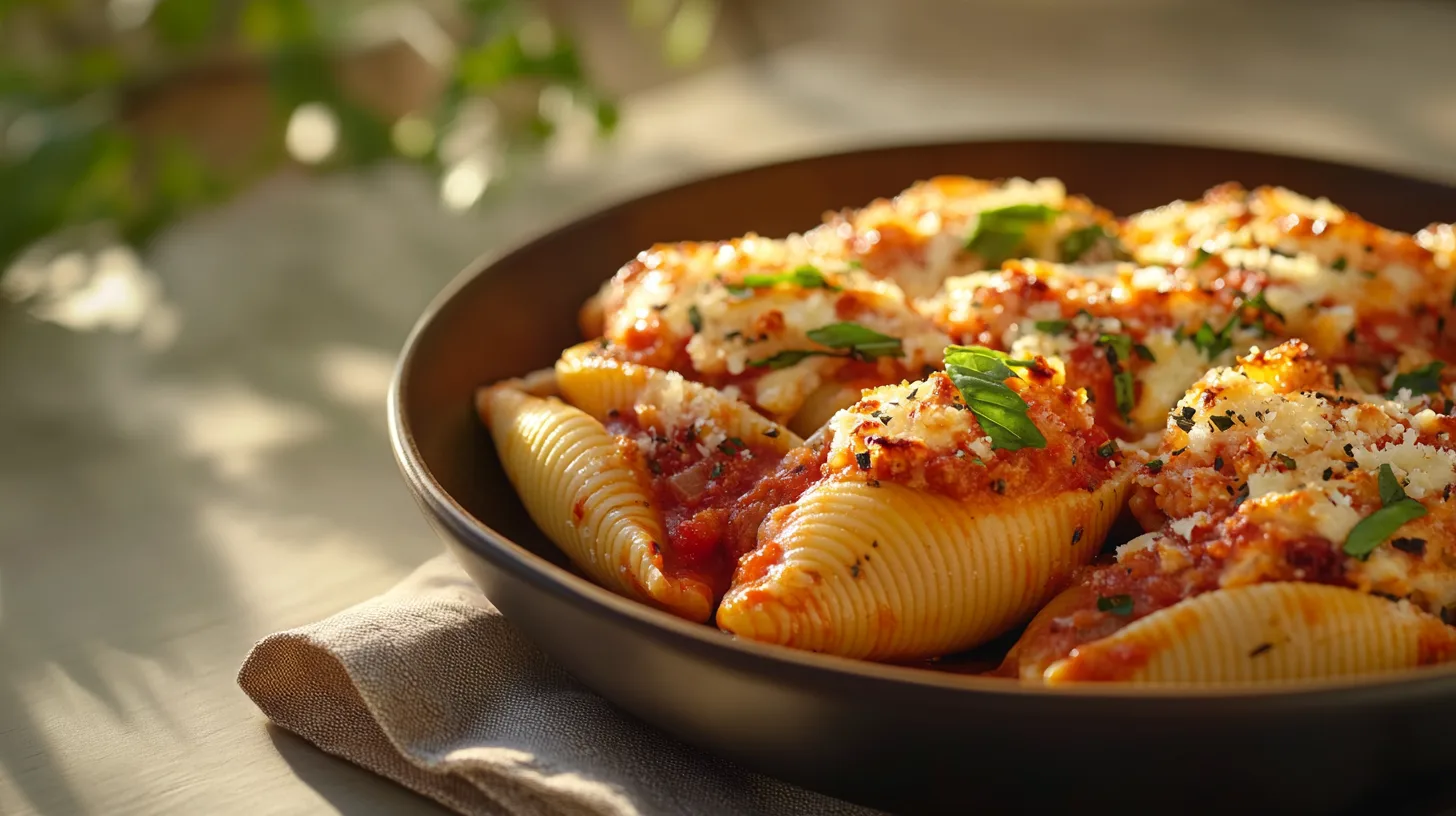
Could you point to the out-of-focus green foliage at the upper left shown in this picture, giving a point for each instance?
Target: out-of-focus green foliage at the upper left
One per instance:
(74, 72)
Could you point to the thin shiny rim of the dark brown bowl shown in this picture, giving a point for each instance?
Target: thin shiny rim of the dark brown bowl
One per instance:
(1410, 686)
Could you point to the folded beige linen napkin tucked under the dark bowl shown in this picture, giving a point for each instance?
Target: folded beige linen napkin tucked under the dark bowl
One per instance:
(430, 687)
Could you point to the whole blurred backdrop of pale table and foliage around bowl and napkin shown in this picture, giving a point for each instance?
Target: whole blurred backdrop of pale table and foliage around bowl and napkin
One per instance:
(221, 218)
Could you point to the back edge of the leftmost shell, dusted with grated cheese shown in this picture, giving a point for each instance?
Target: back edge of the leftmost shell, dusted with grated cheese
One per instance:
(602, 385)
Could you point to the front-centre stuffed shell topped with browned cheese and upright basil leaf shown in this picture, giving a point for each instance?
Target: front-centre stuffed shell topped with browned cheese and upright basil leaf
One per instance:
(941, 514)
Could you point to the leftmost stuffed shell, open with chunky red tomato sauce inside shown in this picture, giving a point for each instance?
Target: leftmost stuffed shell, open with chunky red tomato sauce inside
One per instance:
(633, 473)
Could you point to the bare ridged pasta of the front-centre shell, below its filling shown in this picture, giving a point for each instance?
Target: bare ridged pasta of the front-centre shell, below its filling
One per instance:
(890, 573)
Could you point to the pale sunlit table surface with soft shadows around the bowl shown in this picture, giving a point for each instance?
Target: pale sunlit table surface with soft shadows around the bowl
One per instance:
(193, 448)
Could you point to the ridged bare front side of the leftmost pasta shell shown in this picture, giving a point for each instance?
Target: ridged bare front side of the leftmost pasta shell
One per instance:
(586, 498)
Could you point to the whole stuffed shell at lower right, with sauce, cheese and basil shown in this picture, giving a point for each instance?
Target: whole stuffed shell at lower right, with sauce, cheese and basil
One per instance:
(1298, 531)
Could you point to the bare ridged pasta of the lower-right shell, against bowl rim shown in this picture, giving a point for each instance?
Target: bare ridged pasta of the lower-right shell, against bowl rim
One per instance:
(1260, 635)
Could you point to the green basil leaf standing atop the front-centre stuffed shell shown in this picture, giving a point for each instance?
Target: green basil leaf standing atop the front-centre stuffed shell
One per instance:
(981, 375)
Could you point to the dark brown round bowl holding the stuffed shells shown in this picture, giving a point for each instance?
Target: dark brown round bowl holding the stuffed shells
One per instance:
(899, 738)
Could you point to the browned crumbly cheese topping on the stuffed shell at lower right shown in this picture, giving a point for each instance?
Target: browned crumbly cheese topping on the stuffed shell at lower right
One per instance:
(1308, 460)
